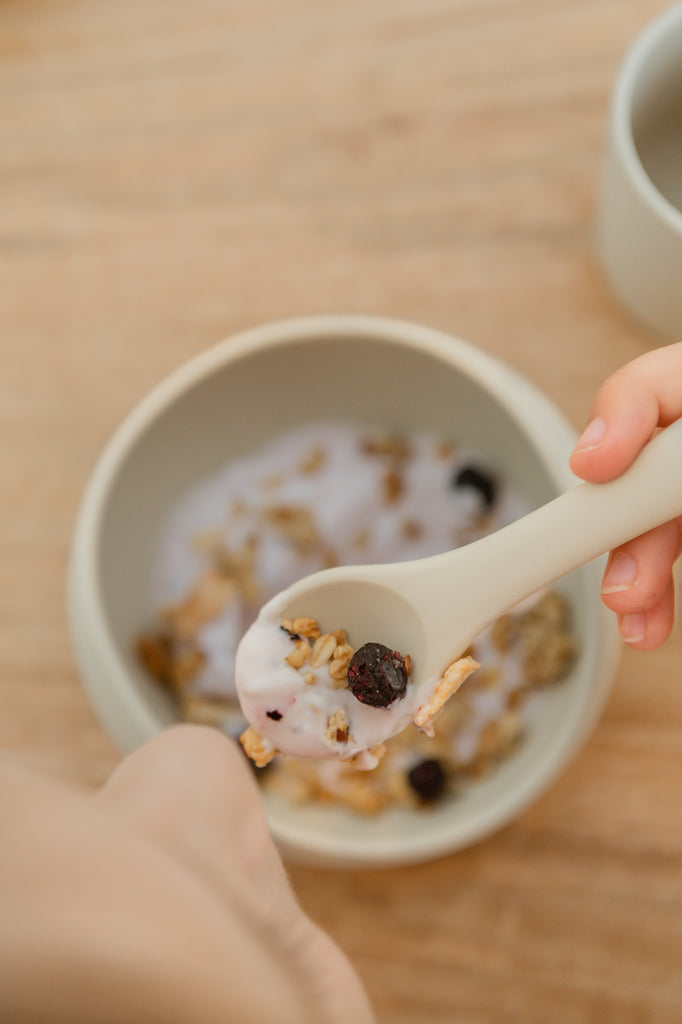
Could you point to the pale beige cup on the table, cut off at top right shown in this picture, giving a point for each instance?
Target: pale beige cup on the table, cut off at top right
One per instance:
(641, 218)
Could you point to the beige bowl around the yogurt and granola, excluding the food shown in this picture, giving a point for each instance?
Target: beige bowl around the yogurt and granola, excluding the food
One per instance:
(234, 398)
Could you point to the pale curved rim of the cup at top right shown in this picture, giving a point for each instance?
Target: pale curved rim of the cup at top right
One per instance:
(641, 53)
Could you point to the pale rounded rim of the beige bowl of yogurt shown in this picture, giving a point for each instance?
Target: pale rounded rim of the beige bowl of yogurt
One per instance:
(89, 624)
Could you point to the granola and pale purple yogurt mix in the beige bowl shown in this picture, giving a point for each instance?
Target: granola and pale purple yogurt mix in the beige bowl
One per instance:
(333, 494)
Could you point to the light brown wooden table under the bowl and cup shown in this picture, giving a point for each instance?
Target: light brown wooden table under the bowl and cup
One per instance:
(175, 172)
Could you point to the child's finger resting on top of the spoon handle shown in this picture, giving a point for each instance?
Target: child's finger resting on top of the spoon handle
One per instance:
(645, 395)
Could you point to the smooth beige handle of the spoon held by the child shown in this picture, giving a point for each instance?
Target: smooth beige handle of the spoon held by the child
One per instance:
(496, 573)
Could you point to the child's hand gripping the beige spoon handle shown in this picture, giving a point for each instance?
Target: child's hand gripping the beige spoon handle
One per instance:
(629, 408)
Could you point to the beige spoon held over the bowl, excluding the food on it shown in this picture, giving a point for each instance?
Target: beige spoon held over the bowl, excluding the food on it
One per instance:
(435, 609)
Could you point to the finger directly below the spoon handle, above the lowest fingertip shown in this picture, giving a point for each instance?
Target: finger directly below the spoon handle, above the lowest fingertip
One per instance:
(638, 573)
